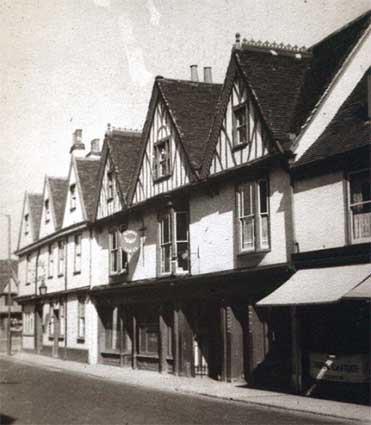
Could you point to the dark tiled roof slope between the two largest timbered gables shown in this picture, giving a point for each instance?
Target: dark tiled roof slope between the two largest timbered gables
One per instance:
(192, 107)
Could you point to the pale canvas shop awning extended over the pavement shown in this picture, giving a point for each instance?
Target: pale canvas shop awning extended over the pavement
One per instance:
(319, 286)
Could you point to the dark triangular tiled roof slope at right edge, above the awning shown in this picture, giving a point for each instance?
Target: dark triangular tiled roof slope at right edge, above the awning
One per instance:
(348, 130)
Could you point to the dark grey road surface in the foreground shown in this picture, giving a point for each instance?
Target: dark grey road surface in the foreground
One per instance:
(34, 395)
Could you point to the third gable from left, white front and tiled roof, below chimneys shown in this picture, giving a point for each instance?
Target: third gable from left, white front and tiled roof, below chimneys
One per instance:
(82, 183)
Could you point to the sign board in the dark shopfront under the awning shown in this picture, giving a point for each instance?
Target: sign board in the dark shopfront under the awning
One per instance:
(343, 368)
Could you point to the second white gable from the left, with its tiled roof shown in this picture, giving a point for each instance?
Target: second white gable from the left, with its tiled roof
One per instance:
(54, 199)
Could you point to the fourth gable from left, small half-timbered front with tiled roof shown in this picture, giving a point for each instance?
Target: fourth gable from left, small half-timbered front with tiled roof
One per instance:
(119, 161)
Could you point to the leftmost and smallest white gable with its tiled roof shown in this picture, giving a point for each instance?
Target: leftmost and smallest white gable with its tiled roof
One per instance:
(30, 221)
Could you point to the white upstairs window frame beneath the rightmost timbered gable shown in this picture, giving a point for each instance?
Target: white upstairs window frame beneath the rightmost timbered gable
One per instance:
(256, 217)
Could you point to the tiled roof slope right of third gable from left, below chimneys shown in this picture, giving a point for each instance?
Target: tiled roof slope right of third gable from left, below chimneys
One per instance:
(87, 170)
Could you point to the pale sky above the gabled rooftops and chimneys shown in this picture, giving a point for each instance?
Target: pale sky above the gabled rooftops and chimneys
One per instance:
(85, 63)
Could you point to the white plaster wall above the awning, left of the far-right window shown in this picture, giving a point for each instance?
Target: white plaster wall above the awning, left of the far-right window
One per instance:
(320, 212)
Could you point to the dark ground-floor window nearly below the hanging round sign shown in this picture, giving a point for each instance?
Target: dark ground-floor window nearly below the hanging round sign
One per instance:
(148, 332)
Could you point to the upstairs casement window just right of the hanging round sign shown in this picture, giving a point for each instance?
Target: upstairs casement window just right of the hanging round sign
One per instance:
(174, 249)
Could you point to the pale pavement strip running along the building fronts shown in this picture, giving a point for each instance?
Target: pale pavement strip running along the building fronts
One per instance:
(204, 386)
